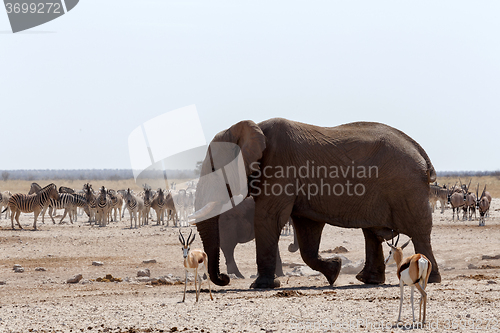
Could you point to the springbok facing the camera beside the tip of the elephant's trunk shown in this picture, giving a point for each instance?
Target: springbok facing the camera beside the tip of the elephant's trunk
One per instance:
(194, 260)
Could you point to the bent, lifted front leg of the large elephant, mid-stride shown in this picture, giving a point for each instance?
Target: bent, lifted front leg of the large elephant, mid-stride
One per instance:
(309, 236)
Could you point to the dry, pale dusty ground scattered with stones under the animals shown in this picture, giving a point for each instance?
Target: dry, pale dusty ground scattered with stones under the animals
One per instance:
(466, 300)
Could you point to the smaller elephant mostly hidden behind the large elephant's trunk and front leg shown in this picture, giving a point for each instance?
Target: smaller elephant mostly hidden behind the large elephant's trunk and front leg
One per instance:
(235, 227)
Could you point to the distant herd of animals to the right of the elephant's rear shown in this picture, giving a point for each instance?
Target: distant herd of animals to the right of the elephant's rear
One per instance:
(462, 197)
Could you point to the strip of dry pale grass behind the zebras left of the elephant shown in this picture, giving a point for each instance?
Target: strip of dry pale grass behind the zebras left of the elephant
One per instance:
(23, 186)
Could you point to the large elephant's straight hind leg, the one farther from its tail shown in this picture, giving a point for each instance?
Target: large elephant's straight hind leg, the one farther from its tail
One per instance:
(374, 270)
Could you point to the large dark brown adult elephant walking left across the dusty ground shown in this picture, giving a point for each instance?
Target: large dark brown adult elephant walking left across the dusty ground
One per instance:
(371, 176)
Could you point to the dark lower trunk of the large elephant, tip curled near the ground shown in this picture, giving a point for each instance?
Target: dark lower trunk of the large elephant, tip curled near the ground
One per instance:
(209, 233)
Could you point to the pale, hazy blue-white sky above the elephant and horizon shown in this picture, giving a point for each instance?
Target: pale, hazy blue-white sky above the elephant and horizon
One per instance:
(73, 89)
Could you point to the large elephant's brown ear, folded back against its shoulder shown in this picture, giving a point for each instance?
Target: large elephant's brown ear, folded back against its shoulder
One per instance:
(251, 140)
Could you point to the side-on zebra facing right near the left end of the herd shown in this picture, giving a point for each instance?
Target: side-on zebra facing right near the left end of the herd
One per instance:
(28, 203)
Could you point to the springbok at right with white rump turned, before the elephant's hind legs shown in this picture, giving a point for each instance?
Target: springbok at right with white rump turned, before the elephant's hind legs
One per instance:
(413, 271)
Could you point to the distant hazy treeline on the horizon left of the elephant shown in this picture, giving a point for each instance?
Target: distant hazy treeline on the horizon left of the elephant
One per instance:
(94, 174)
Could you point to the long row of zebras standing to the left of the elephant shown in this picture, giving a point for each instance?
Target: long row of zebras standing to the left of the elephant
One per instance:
(102, 206)
